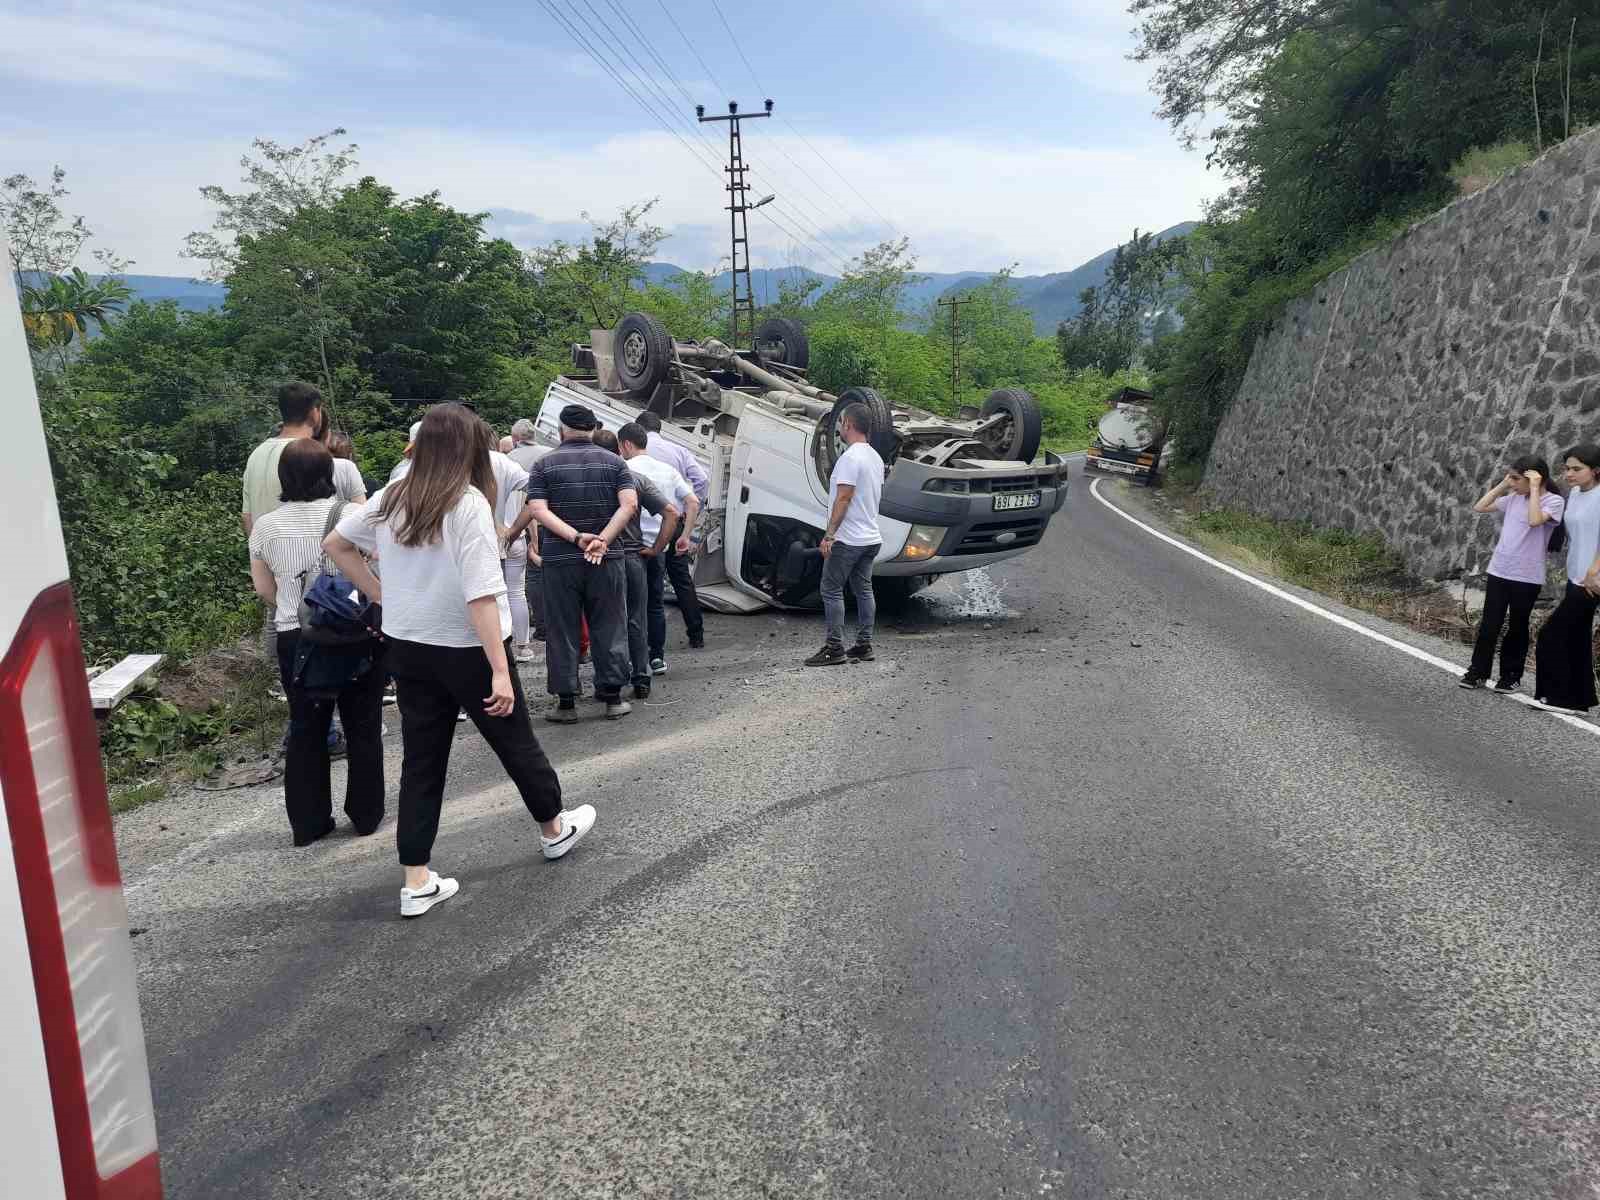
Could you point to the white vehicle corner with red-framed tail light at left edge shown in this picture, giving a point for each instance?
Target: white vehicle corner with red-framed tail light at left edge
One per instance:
(76, 1113)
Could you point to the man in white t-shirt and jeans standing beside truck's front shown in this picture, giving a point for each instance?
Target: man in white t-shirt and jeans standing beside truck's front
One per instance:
(852, 542)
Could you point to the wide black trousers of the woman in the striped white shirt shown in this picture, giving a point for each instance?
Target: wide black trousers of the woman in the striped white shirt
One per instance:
(308, 785)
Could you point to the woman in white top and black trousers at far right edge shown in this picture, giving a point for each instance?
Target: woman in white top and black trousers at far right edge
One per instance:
(1566, 658)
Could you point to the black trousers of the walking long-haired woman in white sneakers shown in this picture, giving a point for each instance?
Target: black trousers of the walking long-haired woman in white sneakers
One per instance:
(431, 686)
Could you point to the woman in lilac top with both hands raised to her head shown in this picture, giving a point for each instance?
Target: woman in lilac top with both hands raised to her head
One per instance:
(1530, 511)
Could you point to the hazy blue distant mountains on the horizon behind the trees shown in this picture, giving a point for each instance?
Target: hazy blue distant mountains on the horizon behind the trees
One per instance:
(1050, 298)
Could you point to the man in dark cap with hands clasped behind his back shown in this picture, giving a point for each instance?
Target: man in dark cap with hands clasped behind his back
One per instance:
(583, 498)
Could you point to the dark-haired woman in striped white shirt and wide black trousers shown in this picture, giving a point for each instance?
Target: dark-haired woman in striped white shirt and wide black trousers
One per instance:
(286, 554)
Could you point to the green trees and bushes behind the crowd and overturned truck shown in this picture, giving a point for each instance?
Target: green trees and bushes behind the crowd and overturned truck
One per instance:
(388, 305)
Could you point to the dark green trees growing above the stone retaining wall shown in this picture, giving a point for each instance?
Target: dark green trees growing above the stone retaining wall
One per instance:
(1343, 124)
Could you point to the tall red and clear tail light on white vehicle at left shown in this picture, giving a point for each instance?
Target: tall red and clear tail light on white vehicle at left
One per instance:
(74, 911)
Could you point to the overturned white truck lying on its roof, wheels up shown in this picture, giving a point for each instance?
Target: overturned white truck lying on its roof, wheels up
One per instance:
(959, 494)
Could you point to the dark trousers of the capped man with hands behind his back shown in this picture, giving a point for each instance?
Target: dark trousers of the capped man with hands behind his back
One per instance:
(575, 591)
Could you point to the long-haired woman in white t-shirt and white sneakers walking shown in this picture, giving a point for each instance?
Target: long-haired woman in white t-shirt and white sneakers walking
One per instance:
(449, 628)
